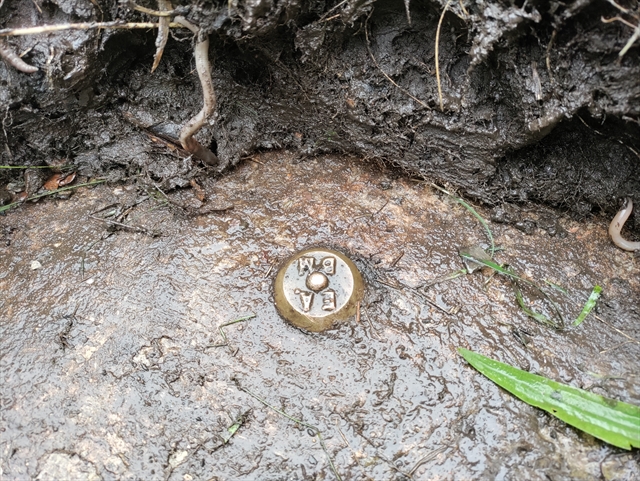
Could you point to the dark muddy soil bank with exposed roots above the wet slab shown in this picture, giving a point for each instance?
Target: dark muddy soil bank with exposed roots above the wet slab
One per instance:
(537, 103)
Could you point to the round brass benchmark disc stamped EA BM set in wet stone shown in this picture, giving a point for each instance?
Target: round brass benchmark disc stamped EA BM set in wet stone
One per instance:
(316, 287)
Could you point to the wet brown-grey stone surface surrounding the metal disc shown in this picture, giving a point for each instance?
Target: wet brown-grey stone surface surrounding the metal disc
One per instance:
(109, 368)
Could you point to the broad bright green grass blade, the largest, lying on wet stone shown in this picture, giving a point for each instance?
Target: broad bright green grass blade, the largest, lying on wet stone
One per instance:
(614, 422)
